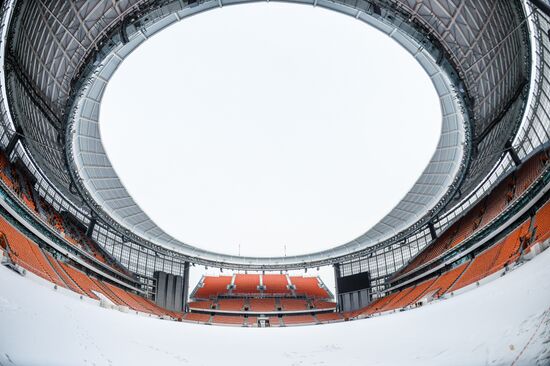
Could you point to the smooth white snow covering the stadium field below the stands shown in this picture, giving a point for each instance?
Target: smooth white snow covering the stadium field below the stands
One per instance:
(503, 322)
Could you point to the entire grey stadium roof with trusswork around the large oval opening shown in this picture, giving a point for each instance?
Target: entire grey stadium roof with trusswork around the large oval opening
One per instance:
(59, 56)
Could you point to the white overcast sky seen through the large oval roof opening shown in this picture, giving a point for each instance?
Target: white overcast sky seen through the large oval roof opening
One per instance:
(267, 125)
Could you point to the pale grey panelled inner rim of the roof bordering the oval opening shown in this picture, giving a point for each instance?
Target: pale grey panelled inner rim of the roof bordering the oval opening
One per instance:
(98, 182)
